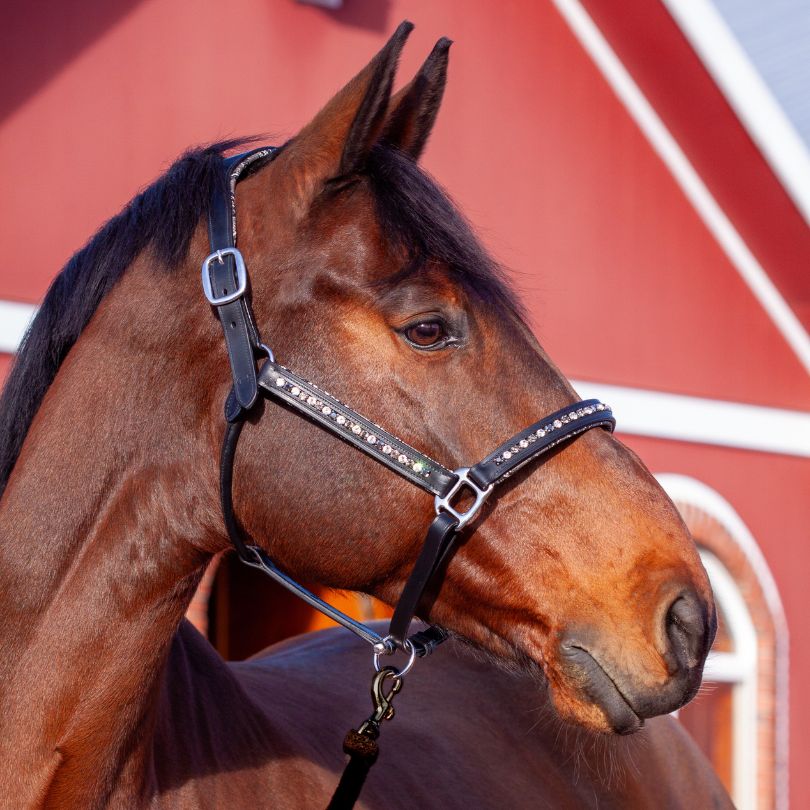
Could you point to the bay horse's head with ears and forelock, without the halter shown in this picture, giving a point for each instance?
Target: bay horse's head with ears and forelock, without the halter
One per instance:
(366, 279)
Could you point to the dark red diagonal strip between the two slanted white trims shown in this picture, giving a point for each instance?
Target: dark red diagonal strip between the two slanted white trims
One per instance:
(678, 86)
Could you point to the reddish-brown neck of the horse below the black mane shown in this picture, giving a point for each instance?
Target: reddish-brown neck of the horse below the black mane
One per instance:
(106, 524)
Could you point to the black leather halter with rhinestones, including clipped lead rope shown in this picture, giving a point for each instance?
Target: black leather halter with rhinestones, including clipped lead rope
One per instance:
(225, 284)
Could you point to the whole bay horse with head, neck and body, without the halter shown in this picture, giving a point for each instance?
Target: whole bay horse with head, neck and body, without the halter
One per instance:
(577, 604)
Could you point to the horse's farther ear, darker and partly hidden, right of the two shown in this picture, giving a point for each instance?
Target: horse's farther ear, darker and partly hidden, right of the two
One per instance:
(413, 109)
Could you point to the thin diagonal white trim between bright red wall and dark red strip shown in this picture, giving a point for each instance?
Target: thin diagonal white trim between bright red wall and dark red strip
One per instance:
(694, 189)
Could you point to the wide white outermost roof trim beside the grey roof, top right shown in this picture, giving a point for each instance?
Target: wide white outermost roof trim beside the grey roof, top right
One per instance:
(748, 94)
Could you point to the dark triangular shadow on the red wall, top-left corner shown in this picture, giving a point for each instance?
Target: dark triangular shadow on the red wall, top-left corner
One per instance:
(38, 39)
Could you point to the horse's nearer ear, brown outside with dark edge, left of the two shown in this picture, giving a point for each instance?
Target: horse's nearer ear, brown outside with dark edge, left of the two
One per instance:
(336, 142)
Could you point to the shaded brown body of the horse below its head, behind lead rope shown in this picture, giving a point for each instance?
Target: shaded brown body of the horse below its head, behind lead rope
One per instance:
(466, 735)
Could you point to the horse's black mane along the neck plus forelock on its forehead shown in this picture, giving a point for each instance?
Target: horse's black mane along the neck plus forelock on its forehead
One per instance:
(413, 211)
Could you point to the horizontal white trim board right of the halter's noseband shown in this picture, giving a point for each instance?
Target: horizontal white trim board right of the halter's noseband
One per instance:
(708, 421)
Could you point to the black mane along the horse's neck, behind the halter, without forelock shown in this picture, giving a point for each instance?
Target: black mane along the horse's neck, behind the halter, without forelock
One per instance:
(162, 217)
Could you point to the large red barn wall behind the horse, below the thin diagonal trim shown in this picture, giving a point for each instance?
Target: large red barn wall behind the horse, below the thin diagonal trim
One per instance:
(623, 280)
